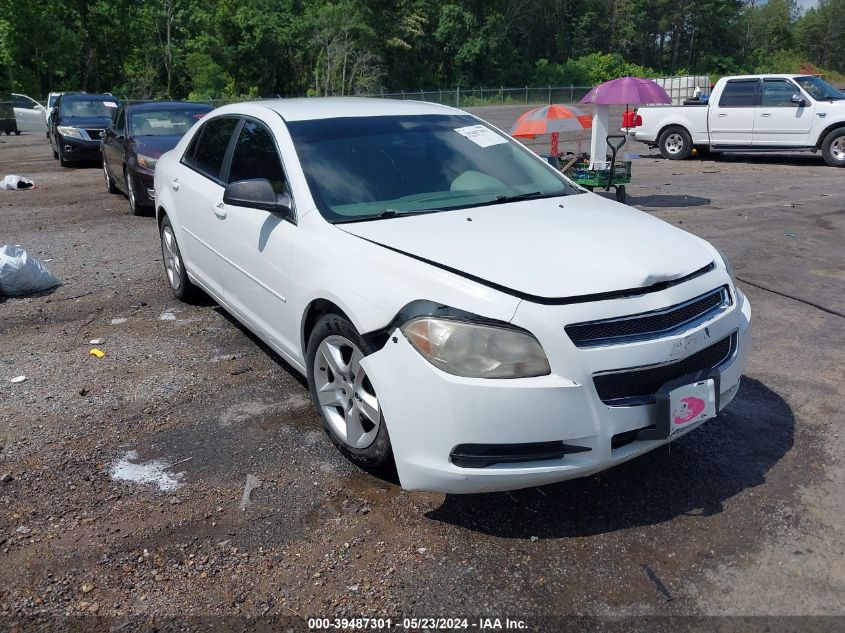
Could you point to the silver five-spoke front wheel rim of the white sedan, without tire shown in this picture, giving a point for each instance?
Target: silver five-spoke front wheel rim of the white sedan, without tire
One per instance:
(345, 394)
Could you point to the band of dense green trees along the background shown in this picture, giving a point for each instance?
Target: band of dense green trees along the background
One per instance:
(230, 48)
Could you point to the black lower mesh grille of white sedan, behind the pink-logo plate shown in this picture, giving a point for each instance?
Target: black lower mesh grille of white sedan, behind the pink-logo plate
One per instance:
(639, 385)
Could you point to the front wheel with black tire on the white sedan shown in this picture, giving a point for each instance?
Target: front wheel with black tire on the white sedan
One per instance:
(349, 412)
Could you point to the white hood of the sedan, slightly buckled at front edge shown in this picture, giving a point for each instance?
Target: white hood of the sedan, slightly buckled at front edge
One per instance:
(552, 248)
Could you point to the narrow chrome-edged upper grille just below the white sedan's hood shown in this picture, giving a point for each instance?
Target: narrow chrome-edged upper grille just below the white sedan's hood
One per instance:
(649, 325)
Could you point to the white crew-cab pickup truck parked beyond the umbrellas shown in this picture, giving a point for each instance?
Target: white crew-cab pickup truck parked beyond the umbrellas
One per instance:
(752, 113)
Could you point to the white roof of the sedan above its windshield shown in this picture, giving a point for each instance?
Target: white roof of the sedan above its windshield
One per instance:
(305, 109)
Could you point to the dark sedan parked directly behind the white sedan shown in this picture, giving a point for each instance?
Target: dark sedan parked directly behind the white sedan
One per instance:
(137, 136)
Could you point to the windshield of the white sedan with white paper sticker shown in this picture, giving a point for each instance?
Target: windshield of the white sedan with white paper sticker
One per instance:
(369, 167)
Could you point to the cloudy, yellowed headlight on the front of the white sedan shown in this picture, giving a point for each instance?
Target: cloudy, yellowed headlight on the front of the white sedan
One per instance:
(476, 351)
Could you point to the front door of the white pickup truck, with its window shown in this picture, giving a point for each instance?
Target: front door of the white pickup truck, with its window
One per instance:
(778, 122)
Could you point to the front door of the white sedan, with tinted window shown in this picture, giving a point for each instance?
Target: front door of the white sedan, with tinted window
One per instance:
(259, 243)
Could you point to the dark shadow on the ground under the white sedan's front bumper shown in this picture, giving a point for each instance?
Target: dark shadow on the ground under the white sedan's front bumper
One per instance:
(693, 476)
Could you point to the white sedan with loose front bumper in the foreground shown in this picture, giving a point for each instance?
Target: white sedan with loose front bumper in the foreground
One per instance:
(456, 304)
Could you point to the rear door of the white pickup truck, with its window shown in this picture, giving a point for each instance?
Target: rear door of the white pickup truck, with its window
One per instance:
(731, 120)
